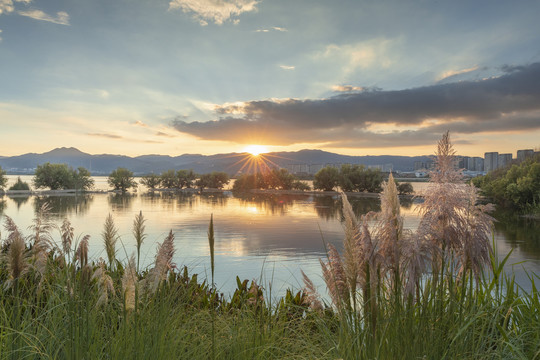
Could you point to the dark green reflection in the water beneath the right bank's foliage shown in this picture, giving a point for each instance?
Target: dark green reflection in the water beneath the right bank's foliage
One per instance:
(519, 232)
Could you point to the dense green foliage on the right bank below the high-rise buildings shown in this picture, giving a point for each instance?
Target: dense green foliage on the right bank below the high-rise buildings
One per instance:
(517, 187)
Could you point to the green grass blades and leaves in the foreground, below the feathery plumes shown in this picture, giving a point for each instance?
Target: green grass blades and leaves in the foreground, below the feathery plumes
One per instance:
(66, 312)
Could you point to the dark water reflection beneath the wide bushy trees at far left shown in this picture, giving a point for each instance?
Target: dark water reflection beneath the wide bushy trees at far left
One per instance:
(61, 206)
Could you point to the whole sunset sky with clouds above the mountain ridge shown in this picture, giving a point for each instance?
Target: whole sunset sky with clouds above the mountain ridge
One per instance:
(355, 77)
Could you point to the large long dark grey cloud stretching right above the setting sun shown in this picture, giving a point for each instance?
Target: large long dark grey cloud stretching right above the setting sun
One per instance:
(510, 102)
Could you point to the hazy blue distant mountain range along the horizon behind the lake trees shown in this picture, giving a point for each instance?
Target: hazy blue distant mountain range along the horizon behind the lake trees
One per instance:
(233, 162)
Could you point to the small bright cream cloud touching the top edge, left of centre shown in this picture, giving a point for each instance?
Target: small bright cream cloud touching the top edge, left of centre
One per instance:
(217, 11)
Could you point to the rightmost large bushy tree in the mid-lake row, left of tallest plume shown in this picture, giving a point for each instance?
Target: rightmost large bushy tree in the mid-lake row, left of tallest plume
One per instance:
(358, 178)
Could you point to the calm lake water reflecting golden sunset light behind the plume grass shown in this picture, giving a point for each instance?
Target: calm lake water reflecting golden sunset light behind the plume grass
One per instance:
(263, 237)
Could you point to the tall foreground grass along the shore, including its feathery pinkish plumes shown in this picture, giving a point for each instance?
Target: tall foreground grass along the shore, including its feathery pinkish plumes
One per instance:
(436, 293)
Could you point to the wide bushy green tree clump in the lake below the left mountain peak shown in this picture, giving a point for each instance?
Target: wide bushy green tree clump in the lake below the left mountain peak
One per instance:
(61, 176)
